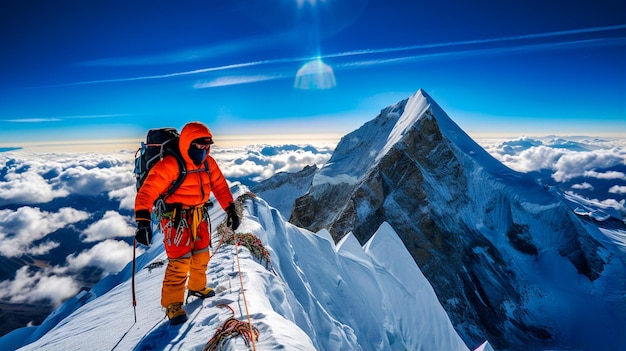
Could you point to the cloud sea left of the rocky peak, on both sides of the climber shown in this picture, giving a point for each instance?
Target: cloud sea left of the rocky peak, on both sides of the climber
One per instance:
(42, 193)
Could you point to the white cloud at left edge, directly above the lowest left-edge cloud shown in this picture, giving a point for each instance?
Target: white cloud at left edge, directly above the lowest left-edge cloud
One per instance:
(21, 228)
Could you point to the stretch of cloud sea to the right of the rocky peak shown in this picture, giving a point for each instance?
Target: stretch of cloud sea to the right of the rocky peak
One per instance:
(593, 168)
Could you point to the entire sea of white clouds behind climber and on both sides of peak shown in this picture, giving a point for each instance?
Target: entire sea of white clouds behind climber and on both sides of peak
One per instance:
(83, 201)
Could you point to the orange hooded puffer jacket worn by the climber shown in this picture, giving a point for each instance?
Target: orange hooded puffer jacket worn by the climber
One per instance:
(198, 184)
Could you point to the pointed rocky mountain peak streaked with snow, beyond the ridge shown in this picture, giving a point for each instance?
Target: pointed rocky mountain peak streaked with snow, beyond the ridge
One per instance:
(497, 248)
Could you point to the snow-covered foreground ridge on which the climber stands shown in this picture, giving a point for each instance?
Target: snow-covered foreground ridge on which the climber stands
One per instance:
(315, 295)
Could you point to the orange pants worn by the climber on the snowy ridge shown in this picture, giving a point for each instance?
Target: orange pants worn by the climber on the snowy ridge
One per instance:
(186, 258)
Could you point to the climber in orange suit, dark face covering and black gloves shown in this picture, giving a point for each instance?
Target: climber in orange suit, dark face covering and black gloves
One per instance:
(183, 216)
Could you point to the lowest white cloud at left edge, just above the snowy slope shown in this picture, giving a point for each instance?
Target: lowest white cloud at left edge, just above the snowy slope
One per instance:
(40, 285)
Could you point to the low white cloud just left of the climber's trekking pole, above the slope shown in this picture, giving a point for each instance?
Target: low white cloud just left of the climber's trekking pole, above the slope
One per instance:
(110, 255)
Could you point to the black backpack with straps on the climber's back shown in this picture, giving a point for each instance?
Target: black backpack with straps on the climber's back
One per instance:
(159, 142)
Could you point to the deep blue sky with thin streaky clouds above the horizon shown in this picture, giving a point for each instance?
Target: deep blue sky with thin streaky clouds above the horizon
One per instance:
(76, 70)
